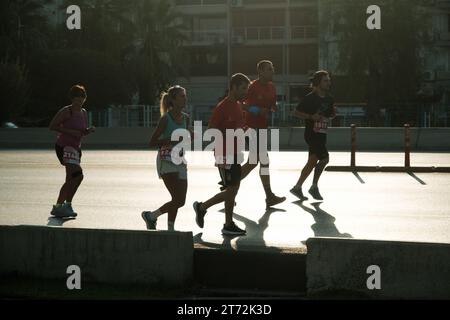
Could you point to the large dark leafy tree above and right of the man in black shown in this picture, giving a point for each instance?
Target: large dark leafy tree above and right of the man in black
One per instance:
(384, 66)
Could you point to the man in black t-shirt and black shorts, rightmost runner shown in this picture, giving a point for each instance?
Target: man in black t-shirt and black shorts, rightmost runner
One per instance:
(317, 109)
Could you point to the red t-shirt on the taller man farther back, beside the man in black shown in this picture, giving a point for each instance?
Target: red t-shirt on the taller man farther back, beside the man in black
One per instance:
(263, 96)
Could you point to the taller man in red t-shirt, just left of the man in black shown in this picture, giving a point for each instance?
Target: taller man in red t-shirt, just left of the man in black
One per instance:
(261, 100)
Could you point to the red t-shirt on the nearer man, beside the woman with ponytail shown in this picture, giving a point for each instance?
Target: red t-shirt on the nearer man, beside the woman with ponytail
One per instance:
(228, 115)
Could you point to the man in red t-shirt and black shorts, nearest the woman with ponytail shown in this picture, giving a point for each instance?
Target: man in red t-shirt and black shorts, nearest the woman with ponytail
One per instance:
(227, 115)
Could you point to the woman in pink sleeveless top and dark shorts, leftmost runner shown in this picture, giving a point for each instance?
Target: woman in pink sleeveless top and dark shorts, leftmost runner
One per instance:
(71, 124)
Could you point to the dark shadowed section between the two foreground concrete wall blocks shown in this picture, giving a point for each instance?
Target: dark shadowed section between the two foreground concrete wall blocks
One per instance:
(255, 270)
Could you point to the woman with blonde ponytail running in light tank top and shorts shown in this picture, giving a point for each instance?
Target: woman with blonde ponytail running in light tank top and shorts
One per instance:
(174, 175)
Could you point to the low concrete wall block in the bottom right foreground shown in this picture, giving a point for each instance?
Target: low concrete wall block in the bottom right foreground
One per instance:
(408, 270)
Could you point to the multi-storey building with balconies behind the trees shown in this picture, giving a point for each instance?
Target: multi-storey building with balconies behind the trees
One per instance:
(228, 36)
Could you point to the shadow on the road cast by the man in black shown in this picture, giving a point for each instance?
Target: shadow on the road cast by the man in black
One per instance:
(324, 225)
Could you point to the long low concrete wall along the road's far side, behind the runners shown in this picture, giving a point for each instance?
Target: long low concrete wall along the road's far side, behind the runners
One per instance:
(376, 139)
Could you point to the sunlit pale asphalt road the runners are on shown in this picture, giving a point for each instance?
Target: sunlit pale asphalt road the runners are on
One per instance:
(118, 185)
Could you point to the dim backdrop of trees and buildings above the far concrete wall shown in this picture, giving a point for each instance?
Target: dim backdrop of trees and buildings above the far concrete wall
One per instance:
(127, 52)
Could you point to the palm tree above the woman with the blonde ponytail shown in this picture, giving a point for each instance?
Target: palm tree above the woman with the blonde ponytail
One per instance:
(155, 54)
